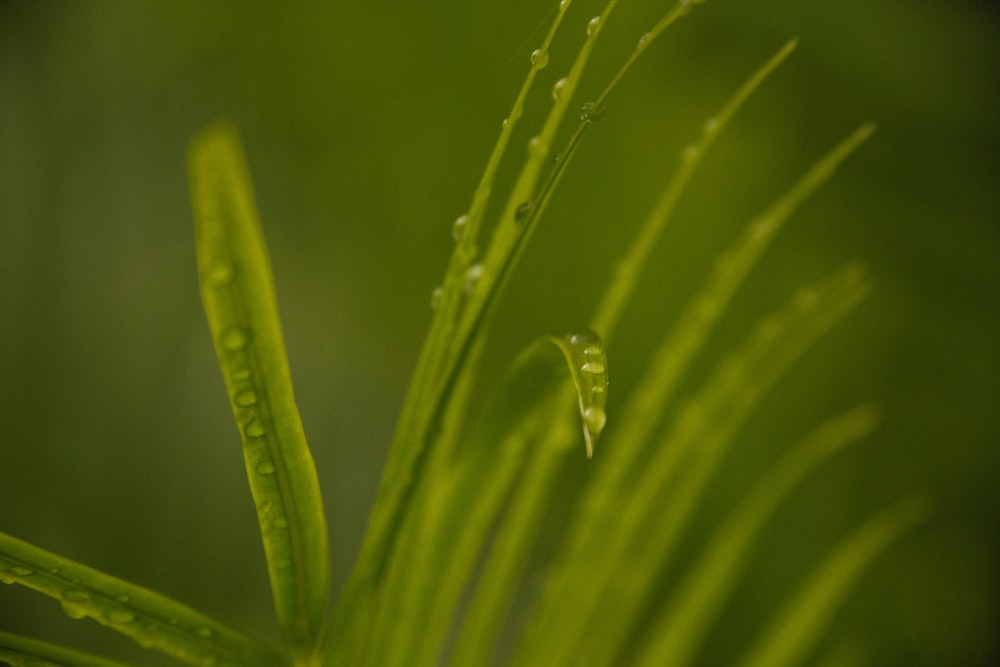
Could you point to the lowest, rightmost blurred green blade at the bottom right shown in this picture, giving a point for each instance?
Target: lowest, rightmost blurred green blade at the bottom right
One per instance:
(798, 625)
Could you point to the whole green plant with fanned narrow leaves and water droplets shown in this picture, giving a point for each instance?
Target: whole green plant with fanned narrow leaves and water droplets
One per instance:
(465, 493)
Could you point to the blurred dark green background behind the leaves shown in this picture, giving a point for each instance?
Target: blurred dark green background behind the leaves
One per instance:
(366, 125)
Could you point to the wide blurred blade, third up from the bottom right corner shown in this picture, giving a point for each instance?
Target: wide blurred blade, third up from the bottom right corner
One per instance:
(590, 605)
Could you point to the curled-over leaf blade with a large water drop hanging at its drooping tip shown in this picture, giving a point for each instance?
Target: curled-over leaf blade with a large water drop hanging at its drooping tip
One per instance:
(457, 509)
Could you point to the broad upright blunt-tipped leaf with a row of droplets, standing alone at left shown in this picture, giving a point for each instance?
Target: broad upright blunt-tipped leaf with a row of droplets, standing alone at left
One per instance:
(238, 294)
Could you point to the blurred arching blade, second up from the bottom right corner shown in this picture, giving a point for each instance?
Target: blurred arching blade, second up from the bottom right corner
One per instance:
(679, 628)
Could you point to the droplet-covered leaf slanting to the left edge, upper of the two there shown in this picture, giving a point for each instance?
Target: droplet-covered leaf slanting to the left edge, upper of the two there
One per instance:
(151, 619)
